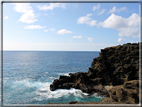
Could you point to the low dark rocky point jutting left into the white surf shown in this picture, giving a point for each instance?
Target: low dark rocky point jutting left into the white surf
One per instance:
(79, 81)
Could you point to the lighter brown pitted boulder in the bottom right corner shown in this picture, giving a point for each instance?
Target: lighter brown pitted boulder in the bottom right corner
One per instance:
(127, 93)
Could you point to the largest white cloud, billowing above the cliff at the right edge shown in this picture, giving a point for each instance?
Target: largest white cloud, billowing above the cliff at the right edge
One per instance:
(128, 27)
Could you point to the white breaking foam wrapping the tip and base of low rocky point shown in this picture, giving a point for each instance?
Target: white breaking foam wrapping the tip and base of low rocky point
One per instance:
(48, 94)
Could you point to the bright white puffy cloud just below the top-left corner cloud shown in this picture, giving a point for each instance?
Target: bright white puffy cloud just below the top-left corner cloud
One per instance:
(28, 17)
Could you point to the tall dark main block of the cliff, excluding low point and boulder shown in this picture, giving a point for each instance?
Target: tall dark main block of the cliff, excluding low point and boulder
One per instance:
(115, 65)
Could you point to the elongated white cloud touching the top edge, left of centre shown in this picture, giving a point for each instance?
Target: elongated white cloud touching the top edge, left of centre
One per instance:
(51, 6)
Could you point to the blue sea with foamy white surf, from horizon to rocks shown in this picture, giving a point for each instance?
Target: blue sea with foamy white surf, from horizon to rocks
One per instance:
(27, 76)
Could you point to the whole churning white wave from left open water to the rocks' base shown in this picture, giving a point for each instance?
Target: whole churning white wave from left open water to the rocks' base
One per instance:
(43, 92)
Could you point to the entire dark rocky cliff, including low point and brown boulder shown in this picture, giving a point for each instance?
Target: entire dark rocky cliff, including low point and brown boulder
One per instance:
(118, 65)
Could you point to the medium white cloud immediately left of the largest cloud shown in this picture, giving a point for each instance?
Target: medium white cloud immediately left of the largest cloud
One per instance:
(87, 20)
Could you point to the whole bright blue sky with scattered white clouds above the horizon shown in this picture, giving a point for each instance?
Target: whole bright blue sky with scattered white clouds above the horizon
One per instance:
(69, 26)
